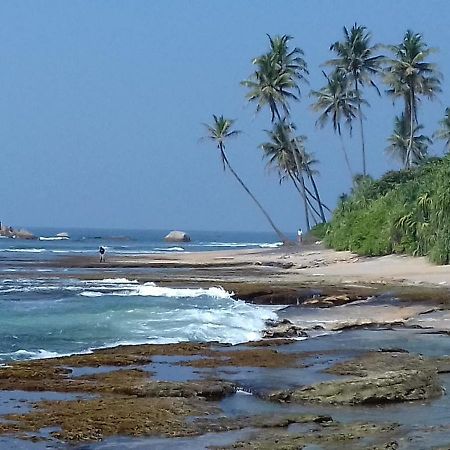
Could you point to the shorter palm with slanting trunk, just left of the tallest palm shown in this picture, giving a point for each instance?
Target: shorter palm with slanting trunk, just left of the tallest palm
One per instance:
(337, 103)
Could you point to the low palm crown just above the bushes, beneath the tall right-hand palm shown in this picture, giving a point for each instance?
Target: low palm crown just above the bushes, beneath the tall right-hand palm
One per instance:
(399, 143)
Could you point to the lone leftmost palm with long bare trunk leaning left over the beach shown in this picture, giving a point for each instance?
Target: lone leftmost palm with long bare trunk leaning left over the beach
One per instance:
(220, 131)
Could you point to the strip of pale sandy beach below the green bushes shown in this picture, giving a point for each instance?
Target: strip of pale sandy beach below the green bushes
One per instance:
(289, 265)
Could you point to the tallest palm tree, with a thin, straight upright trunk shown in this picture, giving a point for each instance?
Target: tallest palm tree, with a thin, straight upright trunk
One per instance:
(357, 59)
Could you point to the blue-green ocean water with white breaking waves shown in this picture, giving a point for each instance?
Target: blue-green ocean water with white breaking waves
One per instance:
(46, 311)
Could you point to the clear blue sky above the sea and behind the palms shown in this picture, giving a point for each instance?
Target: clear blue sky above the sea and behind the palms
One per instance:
(102, 104)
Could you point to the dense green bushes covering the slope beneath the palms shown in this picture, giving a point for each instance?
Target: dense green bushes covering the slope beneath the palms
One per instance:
(403, 212)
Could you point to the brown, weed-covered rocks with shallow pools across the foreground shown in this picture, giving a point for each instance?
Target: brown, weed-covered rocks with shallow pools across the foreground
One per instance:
(130, 399)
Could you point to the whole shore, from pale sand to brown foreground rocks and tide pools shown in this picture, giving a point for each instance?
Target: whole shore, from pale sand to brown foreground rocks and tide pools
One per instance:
(382, 352)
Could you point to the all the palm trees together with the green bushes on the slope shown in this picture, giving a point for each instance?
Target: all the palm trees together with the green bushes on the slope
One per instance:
(403, 212)
